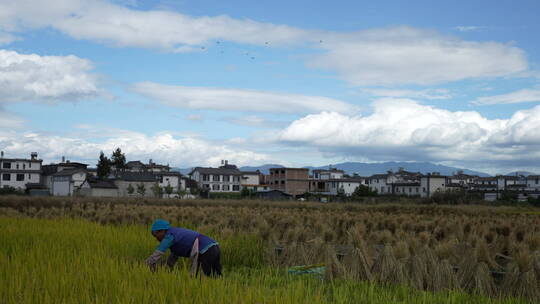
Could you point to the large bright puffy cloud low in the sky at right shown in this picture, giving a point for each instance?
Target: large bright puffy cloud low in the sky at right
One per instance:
(402, 129)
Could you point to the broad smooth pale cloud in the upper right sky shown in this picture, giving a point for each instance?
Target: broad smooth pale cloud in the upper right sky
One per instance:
(406, 55)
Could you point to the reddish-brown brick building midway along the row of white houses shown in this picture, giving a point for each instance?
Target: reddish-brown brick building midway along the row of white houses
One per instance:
(293, 181)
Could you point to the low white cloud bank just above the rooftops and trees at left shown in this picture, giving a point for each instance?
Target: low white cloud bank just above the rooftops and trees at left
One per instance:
(162, 147)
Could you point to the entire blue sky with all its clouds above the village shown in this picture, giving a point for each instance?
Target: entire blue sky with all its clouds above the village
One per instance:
(306, 83)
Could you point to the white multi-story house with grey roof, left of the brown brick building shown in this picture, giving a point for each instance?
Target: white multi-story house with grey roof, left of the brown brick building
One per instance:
(226, 178)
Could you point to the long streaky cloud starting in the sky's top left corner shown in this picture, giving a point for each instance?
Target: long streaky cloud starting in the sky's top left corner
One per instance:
(126, 27)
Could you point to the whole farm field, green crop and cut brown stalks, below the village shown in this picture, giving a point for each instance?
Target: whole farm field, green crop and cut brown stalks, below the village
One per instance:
(74, 250)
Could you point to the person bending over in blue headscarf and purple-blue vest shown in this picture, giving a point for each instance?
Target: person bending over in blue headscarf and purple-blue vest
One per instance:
(203, 251)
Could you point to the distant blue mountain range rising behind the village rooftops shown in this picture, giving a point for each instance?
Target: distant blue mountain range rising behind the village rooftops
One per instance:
(367, 169)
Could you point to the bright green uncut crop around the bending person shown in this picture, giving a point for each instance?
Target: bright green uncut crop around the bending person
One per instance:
(76, 261)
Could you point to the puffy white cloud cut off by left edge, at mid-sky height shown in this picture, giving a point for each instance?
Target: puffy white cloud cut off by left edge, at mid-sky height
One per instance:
(30, 77)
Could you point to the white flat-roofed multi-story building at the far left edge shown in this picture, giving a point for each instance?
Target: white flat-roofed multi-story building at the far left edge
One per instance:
(20, 172)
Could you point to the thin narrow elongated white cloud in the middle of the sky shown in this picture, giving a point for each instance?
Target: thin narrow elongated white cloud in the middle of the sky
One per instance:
(239, 100)
